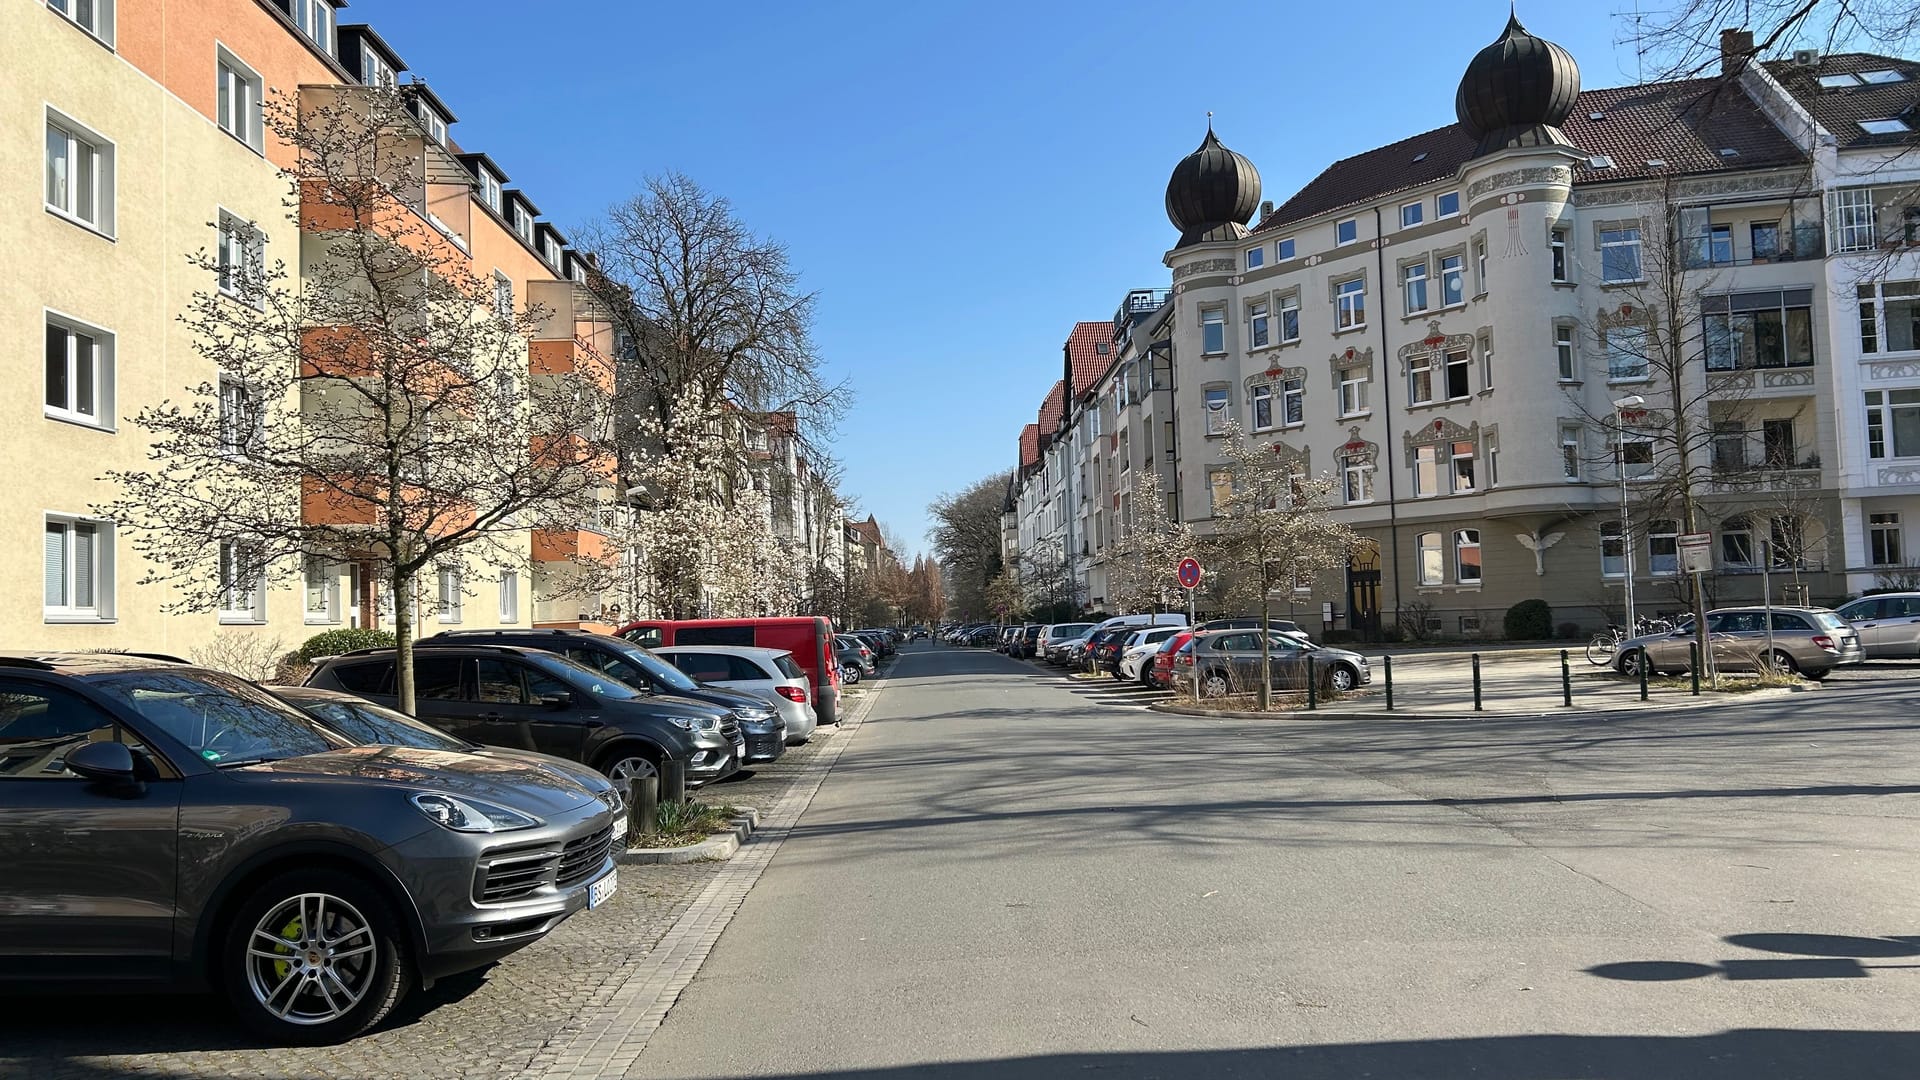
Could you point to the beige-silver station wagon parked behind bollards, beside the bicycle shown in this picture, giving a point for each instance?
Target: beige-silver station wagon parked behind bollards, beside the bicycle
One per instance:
(1808, 641)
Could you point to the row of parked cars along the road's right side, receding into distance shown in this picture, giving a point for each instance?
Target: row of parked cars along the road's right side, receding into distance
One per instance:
(1212, 660)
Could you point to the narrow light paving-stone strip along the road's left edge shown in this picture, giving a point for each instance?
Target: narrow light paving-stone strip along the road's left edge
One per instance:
(612, 1037)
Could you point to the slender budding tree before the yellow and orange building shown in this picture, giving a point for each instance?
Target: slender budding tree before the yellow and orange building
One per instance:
(377, 406)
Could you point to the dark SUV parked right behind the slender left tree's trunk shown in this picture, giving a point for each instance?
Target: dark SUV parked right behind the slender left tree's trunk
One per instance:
(537, 700)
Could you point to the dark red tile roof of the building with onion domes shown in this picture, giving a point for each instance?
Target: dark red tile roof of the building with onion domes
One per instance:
(1683, 124)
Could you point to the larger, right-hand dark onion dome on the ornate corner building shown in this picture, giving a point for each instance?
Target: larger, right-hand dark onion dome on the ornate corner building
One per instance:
(1518, 93)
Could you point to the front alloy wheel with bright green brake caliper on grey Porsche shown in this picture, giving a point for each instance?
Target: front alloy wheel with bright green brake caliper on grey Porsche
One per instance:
(312, 960)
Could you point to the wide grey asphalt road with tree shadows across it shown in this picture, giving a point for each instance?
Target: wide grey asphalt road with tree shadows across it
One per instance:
(1005, 879)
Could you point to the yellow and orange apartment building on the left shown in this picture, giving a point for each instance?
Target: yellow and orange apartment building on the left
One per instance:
(151, 122)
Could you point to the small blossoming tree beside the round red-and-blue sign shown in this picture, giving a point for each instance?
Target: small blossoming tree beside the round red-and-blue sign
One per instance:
(1274, 526)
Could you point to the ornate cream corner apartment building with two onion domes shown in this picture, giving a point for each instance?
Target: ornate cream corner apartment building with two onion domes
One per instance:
(1456, 328)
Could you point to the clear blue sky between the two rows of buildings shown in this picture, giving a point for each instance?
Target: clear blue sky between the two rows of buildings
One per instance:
(959, 184)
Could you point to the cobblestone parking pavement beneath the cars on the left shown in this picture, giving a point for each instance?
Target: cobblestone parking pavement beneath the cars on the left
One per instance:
(504, 1021)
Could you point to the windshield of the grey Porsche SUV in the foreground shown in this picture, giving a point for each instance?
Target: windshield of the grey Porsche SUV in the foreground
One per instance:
(224, 720)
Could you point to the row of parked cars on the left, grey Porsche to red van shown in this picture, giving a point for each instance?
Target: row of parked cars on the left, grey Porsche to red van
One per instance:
(312, 852)
